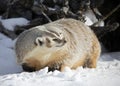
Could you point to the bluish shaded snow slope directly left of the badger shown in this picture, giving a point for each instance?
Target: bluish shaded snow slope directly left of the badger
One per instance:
(7, 56)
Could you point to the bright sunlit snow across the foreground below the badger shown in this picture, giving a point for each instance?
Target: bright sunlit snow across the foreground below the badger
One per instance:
(107, 73)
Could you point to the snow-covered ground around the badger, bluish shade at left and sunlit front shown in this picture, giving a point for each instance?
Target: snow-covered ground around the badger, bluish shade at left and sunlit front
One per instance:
(11, 74)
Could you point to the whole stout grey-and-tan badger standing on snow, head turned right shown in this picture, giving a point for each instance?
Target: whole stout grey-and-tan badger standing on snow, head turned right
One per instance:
(65, 42)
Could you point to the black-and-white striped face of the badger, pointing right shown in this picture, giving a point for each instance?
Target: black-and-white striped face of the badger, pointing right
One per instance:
(50, 37)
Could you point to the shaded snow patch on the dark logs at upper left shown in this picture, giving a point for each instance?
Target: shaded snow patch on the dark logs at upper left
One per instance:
(12, 22)
